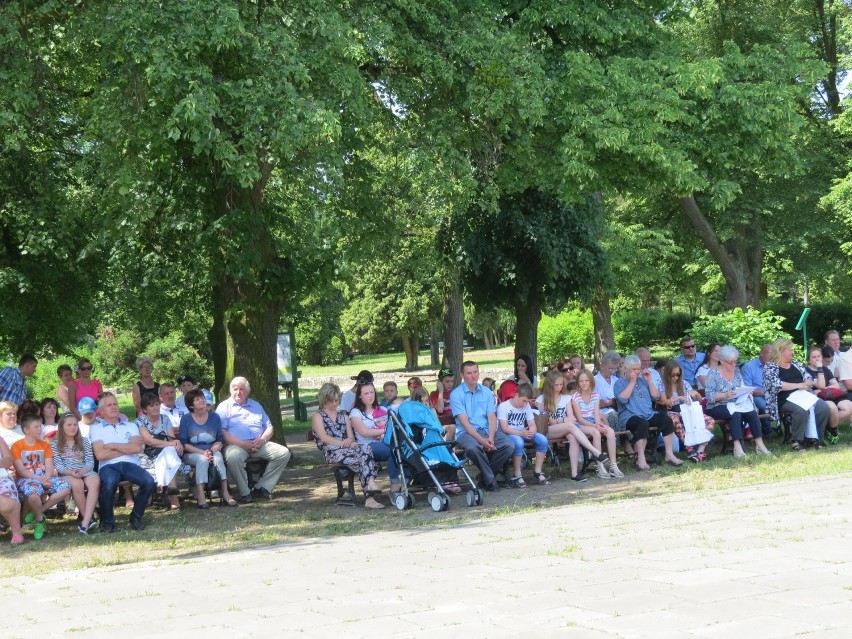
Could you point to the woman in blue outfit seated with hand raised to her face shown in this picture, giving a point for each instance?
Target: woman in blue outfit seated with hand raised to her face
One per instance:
(636, 394)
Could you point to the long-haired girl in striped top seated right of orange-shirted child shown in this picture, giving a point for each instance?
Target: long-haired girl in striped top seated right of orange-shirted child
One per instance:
(74, 461)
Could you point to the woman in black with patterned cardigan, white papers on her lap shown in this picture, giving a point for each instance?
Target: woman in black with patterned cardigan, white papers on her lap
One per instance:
(783, 376)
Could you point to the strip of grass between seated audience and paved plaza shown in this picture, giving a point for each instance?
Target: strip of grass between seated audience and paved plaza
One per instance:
(304, 508)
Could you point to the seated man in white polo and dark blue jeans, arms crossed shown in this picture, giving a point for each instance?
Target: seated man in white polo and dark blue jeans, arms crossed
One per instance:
(116, 444)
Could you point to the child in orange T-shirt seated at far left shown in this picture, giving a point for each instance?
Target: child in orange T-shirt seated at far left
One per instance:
(33, 460)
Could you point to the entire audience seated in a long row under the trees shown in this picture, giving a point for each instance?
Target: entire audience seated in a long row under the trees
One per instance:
(55, 452)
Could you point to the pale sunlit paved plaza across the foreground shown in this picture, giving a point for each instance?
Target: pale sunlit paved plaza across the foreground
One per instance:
(761, 561)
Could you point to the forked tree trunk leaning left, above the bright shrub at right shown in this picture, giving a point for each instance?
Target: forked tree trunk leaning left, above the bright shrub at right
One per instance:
(741, 258)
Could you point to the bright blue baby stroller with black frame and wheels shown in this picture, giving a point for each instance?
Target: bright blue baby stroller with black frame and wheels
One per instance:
(415, 437)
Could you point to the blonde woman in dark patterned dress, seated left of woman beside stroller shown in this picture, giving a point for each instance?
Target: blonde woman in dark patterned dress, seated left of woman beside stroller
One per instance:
(333, 434)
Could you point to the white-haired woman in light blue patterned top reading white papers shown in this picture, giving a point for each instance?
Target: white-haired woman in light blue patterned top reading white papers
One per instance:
(722, 403)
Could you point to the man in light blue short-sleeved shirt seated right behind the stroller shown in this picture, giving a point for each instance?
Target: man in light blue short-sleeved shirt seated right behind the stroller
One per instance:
(475, 412)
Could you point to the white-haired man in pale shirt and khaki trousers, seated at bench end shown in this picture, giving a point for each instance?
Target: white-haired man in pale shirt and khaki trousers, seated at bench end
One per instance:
(248, 433)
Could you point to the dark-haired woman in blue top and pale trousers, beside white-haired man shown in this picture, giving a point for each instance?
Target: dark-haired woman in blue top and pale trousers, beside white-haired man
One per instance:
(201, 435)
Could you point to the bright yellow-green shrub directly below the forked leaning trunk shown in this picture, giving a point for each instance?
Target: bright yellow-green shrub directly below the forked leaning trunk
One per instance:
(748, 330)
